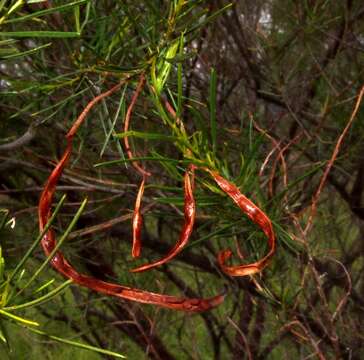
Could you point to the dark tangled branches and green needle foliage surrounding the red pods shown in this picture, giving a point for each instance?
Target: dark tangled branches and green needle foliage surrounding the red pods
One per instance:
(288, 74)
